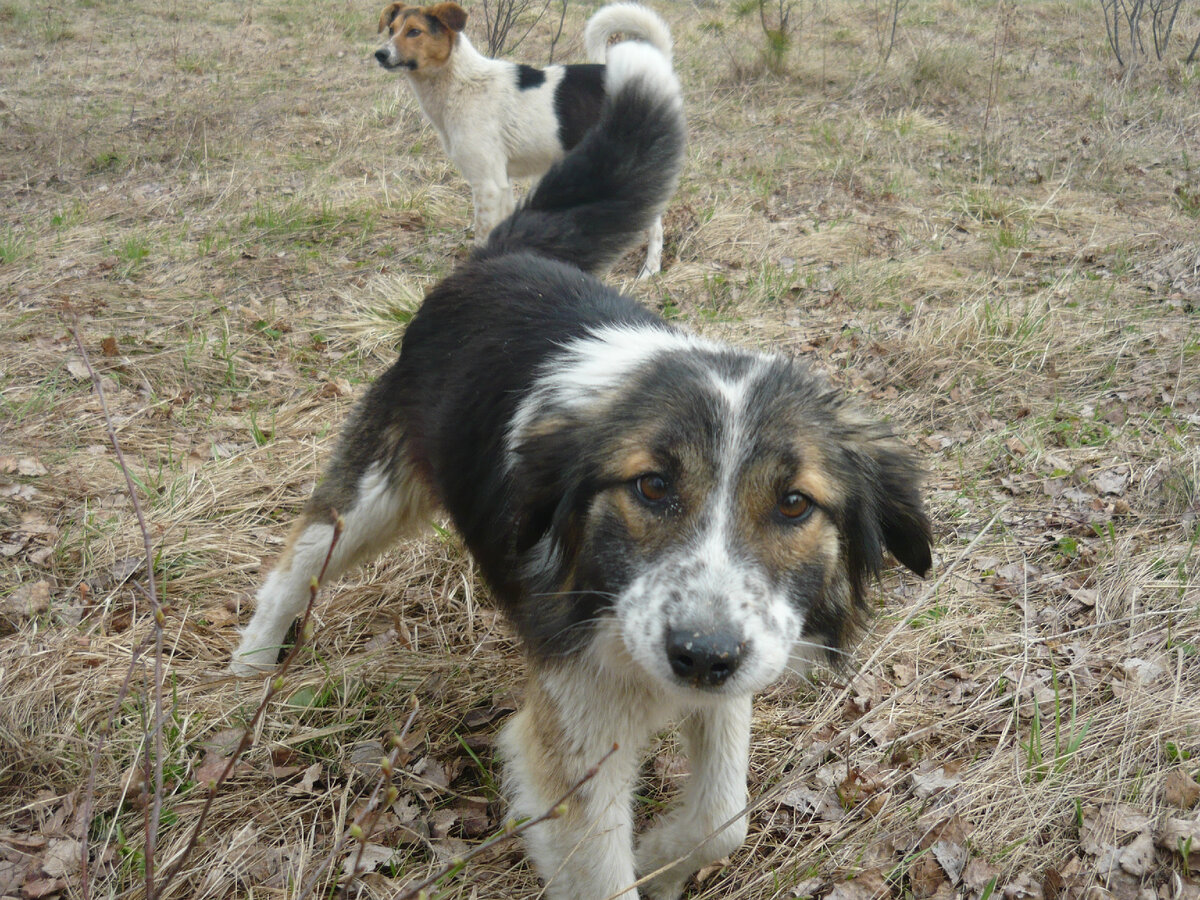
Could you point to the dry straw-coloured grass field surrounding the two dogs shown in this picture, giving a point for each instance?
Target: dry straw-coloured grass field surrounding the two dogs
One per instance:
(242, 211)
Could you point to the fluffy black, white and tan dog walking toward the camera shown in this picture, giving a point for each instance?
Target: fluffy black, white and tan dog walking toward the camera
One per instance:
(670, 524)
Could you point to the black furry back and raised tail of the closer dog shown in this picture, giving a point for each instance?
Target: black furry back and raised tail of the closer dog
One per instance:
(482, 334)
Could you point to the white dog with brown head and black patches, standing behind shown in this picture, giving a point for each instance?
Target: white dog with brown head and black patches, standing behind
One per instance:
(503, 121)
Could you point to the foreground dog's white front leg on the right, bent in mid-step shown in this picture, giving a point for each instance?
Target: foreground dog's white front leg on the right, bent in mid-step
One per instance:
(718, 743)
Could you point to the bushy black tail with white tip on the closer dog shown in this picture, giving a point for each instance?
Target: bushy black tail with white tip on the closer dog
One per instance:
(595, 203)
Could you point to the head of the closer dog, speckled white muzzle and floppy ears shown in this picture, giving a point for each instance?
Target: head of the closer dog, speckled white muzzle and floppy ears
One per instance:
(727, 509)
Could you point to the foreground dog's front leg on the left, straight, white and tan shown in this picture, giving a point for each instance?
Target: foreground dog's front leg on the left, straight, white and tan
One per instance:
(587, 851)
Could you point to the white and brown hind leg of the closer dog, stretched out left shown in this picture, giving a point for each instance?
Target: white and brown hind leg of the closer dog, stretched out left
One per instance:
(371, 484)
